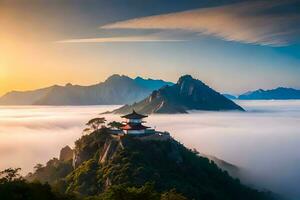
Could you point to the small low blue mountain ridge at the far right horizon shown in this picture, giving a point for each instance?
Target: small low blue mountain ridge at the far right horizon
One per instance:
(279, 93)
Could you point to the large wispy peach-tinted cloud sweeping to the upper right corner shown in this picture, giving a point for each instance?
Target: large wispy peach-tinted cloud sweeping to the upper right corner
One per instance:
(256, 22)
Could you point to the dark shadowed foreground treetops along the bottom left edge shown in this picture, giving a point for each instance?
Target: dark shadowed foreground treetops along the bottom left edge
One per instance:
(14, 187)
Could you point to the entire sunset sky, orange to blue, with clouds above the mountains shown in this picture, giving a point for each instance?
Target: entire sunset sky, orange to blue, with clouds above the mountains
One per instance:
(233, 46)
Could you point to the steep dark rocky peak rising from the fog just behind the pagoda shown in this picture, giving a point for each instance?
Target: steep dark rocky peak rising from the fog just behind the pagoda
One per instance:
(187, 94)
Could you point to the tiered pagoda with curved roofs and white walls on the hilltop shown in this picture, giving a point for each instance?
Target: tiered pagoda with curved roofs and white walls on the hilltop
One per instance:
(134, 124)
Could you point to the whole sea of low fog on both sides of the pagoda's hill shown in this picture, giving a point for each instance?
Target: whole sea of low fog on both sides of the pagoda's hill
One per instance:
(264, 141)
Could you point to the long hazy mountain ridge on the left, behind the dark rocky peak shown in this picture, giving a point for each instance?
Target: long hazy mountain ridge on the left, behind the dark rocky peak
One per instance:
(114, 90)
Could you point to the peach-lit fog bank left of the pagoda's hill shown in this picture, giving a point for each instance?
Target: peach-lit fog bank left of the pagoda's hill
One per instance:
(31, 135)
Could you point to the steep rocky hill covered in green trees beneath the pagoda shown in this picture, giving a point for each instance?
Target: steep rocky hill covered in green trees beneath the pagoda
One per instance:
(108, 167)
